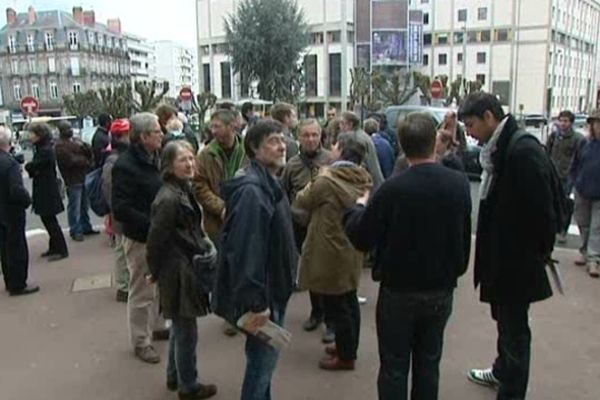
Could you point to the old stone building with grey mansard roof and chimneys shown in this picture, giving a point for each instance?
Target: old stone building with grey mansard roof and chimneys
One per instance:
(49, 54)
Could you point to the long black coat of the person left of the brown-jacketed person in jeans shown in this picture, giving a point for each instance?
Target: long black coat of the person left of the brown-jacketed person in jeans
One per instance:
(42, 168)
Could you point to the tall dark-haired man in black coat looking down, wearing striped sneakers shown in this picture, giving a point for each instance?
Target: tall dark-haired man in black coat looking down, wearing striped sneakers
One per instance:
(515, 237)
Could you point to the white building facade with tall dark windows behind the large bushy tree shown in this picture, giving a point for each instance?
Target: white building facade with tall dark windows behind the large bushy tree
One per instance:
(327, 60)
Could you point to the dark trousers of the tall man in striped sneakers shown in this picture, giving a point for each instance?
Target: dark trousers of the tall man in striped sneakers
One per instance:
(511, 367)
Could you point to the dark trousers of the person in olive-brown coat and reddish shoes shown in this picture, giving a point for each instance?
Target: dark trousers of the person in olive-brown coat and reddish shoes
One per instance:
(344, 313)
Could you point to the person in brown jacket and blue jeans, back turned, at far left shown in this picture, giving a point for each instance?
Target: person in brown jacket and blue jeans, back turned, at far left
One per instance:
(75, 159)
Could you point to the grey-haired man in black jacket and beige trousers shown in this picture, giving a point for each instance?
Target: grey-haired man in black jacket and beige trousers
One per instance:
(136, 181)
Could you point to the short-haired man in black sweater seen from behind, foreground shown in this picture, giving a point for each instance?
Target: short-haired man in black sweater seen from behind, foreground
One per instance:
(420, 223)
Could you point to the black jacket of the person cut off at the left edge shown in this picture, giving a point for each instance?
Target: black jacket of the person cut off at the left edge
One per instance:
(14, 198)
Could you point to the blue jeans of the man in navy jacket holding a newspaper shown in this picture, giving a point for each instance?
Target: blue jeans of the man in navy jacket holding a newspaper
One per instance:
(261, 360)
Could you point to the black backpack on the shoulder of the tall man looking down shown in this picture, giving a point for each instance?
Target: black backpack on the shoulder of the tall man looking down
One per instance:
(561, 202)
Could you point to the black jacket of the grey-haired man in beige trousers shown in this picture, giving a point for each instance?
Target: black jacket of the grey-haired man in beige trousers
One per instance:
(136, 181)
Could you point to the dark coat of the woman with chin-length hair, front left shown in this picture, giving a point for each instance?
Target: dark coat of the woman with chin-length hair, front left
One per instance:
(175, 236)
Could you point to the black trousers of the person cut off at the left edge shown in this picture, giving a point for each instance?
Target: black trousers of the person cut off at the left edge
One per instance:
(14, 254)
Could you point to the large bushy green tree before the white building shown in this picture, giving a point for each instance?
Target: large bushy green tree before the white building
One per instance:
(266, 39)
